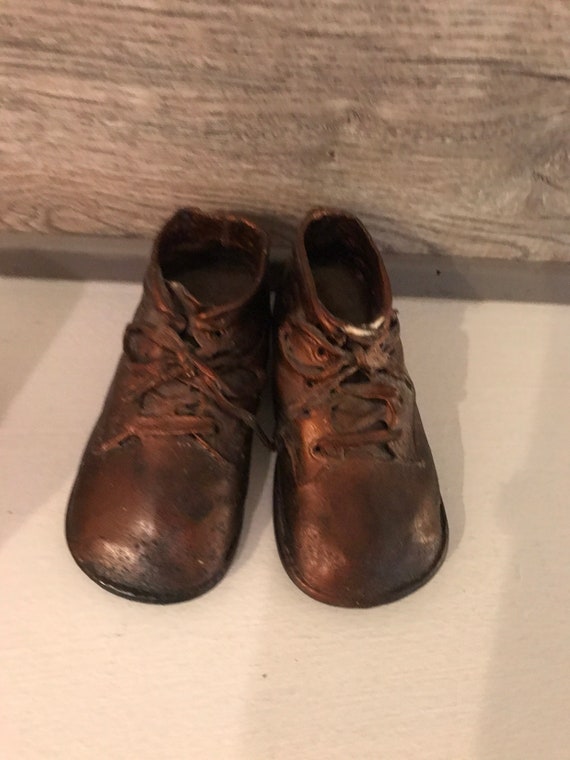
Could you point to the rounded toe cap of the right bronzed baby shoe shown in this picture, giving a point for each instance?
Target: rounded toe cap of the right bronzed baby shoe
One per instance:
(354, 542)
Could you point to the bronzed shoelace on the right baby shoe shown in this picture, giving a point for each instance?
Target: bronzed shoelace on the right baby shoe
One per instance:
(338, 359)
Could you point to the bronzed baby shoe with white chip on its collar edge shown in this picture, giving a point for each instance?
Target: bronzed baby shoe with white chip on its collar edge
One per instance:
(359, 518)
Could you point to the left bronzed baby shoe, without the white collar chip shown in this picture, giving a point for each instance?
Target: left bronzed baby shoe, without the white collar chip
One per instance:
(156, 510)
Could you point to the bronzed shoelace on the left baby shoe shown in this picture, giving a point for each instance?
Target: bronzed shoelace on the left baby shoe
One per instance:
(176, 361)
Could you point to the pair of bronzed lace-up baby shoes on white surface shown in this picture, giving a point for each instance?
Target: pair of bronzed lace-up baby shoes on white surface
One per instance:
(157, 506)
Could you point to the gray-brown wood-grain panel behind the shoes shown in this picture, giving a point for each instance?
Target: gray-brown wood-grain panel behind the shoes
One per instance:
(444, 123)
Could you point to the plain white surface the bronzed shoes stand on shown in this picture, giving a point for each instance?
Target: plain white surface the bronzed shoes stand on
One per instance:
(475, 665)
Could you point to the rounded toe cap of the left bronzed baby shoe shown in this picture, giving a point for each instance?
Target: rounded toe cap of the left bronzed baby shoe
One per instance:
(166, 543)
